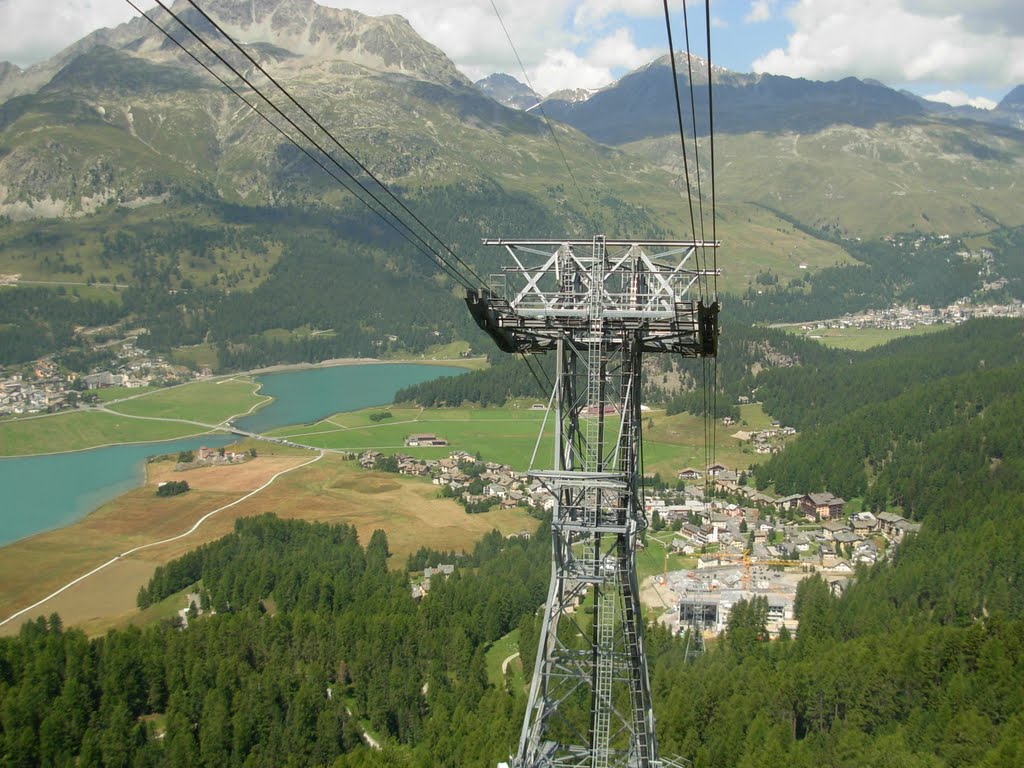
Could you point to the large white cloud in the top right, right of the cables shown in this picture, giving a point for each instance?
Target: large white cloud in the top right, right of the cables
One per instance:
(885, 40)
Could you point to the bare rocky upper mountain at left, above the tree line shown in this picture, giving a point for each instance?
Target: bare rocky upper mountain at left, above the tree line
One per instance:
(373, 79)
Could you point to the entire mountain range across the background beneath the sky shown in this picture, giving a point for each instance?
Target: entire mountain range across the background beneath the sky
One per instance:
(122, 137)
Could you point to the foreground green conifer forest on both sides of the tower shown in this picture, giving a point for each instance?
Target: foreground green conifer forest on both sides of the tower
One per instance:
(306, 638)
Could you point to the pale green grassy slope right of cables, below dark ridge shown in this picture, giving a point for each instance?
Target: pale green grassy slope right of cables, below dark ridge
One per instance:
(890, 179)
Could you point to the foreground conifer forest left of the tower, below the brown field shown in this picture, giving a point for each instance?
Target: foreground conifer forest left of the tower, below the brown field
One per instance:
(309, 626)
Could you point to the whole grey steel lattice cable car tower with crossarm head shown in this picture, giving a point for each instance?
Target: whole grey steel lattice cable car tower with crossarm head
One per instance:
(599, 306)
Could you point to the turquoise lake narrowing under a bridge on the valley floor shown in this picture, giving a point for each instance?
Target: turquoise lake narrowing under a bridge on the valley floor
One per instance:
(41, 493)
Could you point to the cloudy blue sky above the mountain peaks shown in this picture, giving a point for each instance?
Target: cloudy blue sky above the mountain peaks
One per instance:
(957, 52)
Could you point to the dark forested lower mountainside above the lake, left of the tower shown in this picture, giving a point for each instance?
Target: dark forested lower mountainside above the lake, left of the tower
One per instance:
(268, 284)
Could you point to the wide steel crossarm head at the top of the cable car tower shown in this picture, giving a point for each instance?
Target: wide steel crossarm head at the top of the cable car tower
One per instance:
(641, 287)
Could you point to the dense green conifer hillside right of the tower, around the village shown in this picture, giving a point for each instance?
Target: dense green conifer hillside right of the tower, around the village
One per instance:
(921, 663)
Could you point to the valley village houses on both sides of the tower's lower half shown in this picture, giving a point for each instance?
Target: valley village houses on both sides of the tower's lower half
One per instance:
(744, 543)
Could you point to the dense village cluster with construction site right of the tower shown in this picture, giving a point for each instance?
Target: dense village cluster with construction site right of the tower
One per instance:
(751, 545)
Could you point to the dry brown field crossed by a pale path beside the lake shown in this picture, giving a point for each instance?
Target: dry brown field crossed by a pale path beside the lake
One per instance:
(329, 491)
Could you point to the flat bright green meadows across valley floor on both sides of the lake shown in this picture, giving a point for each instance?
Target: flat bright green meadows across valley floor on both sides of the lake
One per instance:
(508, 435)
